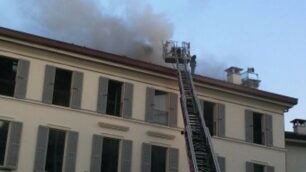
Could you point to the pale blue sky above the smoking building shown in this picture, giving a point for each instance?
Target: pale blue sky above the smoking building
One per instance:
(269, 35)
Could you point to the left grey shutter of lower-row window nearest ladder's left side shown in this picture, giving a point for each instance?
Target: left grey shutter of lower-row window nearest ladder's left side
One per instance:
(146, 157)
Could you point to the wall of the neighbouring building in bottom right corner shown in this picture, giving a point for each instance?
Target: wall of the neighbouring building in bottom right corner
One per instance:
(296, 157)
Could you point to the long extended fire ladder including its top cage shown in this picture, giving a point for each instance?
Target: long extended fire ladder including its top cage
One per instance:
(198, 140)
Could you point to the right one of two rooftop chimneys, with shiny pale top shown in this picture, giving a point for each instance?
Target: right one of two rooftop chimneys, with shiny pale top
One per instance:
(250, 78)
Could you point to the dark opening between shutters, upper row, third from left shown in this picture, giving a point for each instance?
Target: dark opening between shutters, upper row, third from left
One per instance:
(114, 98)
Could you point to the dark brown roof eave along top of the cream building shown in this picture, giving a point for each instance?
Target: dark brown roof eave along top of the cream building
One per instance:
(34, 39)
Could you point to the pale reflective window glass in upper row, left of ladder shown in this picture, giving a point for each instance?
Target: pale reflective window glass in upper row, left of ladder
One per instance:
(161, 101)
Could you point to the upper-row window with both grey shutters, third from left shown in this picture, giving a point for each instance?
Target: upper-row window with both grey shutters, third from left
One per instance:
(115, 98)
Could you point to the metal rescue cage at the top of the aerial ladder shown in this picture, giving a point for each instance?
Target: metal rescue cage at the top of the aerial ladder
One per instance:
(172, 52)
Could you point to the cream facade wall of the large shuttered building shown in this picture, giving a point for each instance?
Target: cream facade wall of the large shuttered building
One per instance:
(34, 113)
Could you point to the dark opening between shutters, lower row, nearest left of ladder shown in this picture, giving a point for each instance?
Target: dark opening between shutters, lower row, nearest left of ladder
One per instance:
(158, 159)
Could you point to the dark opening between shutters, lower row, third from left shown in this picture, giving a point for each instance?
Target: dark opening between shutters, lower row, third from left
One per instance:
(110, 155)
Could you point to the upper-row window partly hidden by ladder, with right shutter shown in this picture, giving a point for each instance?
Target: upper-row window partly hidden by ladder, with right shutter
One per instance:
(214, 116)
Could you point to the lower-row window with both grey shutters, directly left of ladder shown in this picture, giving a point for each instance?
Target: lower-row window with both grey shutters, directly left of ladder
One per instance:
(159, 159)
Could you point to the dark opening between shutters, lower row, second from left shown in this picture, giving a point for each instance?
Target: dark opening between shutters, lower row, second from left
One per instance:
(55, 152)
